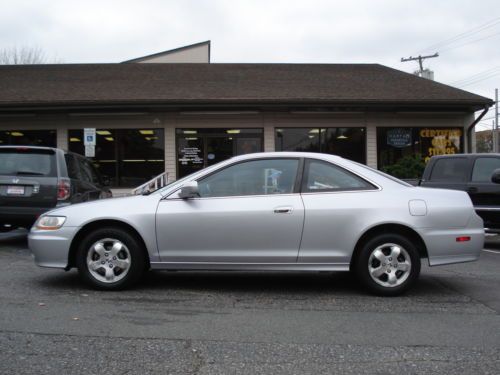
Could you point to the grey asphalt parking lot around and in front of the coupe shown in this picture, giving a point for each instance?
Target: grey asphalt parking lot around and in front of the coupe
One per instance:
(248, 323)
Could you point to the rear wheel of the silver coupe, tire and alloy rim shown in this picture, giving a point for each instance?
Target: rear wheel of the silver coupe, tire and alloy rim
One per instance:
(388, 264)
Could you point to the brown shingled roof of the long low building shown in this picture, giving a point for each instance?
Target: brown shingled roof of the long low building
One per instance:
(223, 84)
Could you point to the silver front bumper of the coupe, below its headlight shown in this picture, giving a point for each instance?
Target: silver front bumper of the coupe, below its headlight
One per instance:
(51, 247)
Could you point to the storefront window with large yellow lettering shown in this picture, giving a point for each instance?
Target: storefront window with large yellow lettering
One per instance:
(393, 144)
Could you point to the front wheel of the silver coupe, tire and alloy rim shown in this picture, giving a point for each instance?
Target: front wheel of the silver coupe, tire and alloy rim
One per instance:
(110, 259)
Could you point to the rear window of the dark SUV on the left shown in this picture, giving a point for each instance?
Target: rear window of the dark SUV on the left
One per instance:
(27, 162)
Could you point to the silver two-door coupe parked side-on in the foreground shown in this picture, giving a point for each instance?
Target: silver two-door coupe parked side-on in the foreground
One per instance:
(285, 211)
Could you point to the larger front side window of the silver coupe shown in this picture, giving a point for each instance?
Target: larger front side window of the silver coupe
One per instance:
(257, 177)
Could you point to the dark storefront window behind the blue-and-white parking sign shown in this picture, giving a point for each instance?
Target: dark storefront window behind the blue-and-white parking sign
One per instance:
(129, 157)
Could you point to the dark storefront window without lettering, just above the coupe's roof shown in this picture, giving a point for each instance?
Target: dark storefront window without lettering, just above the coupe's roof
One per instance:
(350, 143)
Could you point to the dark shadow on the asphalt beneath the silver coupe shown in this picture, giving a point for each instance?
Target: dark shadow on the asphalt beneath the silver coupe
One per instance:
(285, 284)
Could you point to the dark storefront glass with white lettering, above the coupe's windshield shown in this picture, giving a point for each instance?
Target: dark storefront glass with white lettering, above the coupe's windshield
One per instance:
(200, 148)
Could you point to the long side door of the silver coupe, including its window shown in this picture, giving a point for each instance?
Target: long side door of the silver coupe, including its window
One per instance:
(249, 212)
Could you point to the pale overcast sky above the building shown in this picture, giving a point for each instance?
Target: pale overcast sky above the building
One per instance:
(466, 34)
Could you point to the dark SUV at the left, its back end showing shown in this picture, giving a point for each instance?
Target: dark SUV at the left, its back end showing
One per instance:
(34, 180)
